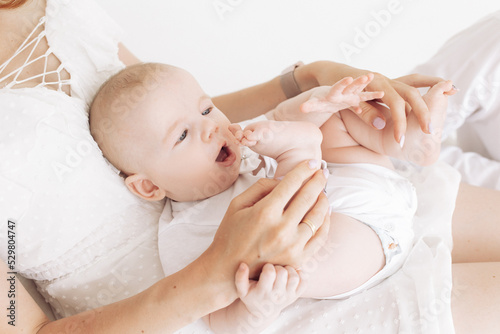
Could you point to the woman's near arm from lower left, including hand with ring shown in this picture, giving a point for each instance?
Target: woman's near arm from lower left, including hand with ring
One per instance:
(261, 225)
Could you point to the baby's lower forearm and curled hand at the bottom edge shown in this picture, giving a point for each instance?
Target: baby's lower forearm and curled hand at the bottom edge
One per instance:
(260, 302)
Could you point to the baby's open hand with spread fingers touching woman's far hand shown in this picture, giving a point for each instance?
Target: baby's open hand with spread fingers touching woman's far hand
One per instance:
(346, 93)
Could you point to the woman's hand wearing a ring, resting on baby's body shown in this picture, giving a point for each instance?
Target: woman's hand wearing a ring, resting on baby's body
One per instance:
(263, 224)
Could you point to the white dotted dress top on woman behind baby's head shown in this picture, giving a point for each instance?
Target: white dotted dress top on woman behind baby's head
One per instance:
(80, 235)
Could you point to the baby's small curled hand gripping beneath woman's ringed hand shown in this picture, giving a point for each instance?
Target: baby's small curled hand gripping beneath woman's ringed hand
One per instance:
(276, 288)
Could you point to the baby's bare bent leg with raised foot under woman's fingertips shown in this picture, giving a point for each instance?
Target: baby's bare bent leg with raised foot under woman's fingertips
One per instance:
(347, 139)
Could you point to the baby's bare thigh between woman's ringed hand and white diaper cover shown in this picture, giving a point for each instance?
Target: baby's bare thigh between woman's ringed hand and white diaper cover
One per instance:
(352, 254)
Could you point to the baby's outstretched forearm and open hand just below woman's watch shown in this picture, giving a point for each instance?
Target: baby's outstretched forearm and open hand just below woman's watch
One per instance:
(318, 104)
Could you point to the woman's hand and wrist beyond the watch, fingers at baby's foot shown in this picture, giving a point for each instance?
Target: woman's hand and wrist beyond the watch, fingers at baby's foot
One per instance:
(400, 95)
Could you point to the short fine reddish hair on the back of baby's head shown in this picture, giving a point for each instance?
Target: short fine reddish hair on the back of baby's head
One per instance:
(119, 97)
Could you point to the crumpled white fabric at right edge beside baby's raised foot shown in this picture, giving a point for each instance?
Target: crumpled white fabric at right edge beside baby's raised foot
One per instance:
(471, 59)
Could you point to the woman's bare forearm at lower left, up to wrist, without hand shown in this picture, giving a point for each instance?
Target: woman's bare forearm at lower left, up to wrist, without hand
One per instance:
(164, 307)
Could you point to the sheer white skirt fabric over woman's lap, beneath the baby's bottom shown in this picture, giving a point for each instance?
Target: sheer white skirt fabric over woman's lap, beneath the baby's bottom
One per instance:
(414, 300)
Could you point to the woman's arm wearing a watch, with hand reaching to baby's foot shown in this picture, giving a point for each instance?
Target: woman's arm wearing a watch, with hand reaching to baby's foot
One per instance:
(398, 95)
